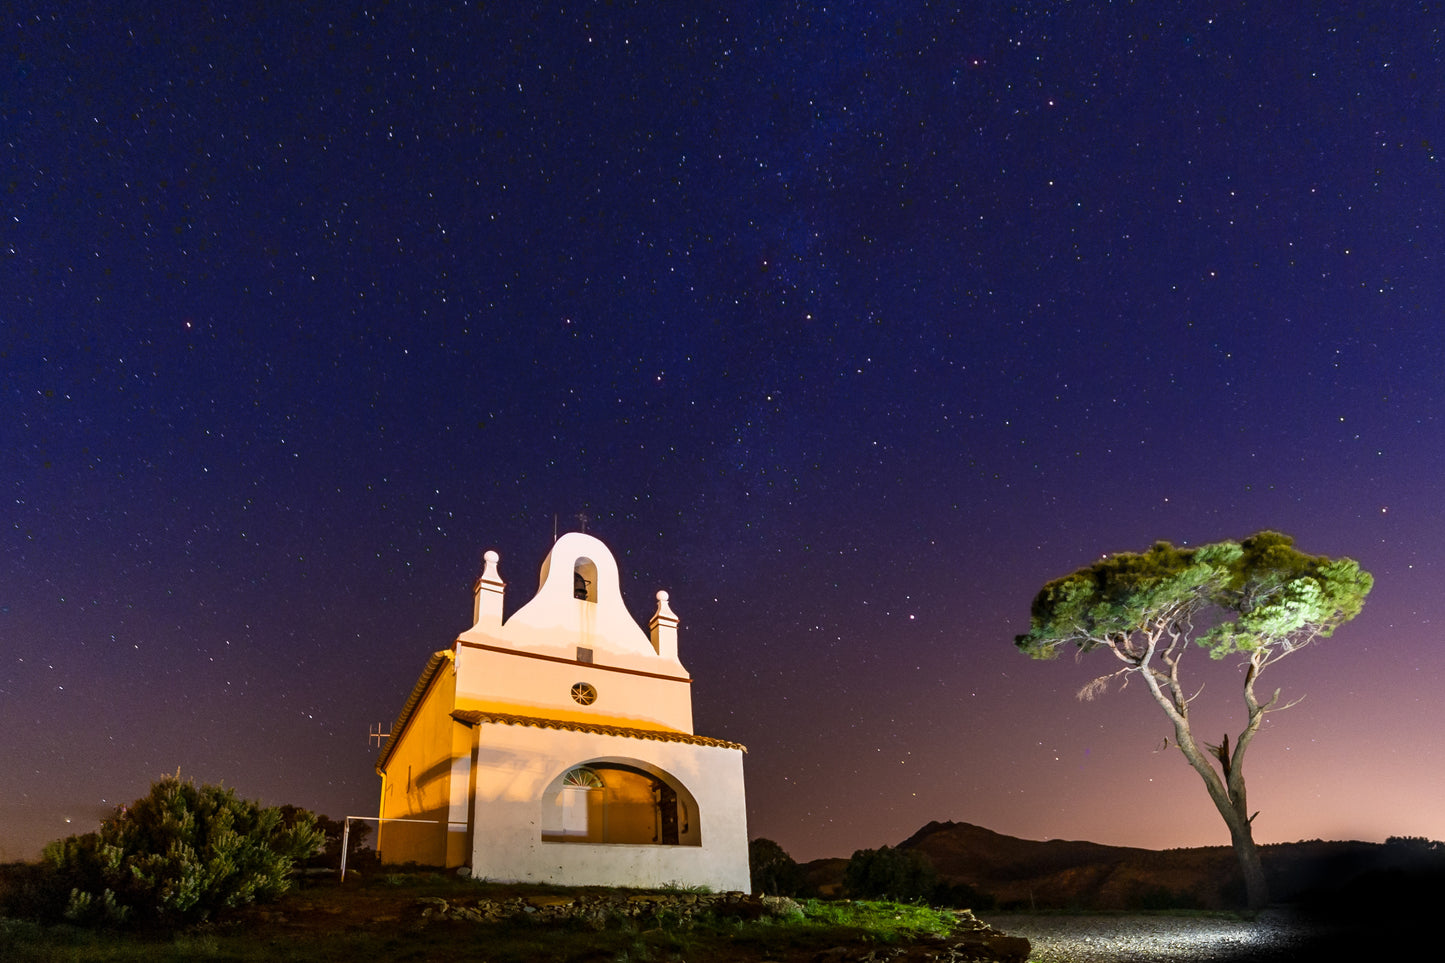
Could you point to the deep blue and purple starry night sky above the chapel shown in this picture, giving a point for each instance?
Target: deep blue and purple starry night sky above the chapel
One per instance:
(847, 326)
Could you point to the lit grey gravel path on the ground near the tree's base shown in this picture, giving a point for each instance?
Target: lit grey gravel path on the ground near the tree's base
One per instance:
(1158, 939)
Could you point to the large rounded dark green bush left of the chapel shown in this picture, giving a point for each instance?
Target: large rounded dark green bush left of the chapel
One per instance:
(178, 855)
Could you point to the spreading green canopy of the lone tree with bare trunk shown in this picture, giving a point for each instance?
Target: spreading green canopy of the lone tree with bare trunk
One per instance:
(1262, 592)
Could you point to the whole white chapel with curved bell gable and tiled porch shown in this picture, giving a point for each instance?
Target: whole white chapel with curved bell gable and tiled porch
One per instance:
(557, 745)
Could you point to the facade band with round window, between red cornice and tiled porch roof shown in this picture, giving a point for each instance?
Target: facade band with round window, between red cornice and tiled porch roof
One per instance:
(521, 685)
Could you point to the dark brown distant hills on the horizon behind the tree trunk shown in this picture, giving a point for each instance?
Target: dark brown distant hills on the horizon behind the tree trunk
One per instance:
(1025, 874)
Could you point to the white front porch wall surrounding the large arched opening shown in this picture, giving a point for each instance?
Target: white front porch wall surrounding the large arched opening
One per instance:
(517, 764)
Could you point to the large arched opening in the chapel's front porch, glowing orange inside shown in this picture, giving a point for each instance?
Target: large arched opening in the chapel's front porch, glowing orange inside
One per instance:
(619, 802)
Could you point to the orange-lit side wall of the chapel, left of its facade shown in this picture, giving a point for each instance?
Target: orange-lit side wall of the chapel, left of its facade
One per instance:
(420, 782)
